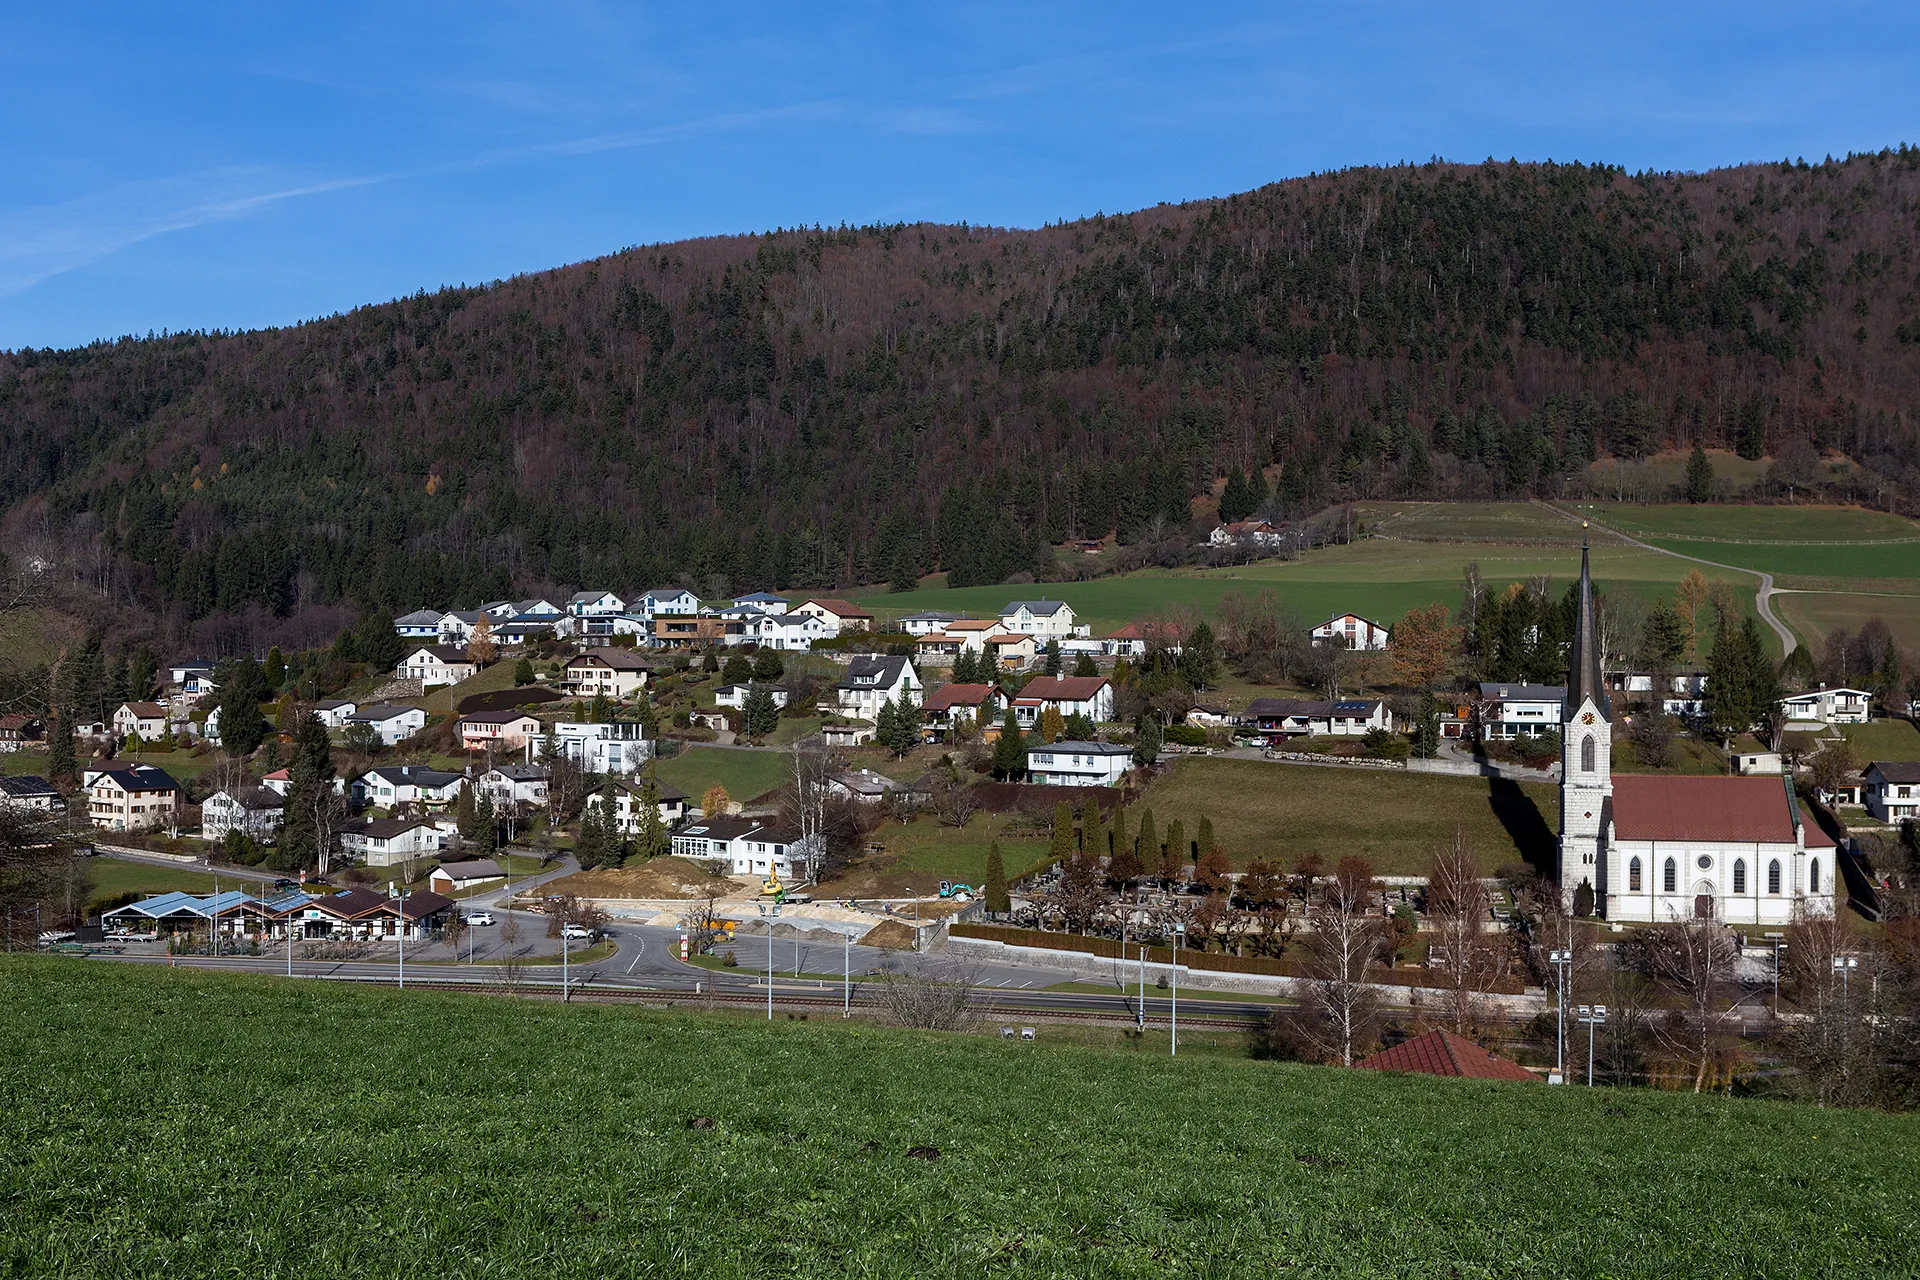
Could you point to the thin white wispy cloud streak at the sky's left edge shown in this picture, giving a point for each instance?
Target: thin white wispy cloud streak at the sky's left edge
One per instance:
(49, 241)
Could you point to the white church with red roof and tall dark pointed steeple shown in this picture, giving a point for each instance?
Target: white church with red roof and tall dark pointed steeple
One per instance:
(1658, 847)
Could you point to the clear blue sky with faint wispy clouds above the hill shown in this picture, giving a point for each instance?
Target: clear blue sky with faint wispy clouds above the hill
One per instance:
(241, 166)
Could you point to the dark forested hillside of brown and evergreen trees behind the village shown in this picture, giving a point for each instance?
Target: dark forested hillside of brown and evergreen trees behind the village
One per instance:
(825, 408)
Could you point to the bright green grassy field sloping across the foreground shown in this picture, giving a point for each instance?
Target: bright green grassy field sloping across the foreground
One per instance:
(306, 1129)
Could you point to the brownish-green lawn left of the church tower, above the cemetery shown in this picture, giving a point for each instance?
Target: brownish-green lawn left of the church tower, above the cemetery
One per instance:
(1395, 820)
